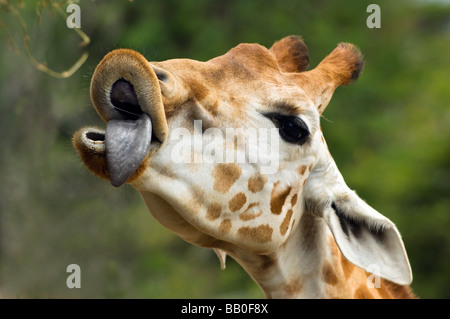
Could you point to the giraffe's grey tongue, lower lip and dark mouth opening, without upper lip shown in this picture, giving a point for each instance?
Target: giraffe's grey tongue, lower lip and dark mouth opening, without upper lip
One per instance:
(117, 152)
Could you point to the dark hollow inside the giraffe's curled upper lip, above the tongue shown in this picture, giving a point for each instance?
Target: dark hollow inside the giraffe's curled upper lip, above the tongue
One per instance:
(124, 99)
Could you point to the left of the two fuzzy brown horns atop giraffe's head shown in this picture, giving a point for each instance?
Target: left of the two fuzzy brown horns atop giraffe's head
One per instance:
(291, 54)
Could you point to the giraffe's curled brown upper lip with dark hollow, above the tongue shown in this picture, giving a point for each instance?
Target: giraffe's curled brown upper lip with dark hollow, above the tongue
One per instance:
(124, 86)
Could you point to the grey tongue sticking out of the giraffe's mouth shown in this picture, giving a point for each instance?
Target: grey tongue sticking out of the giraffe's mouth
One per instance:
(127, 142)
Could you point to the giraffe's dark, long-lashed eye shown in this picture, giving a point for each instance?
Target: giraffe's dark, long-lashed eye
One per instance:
(292, 128)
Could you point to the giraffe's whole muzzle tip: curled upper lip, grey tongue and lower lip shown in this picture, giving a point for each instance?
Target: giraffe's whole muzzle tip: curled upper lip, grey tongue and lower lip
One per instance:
(126, 94)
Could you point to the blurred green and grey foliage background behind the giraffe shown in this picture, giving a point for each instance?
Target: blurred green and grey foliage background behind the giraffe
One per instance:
(388, 132)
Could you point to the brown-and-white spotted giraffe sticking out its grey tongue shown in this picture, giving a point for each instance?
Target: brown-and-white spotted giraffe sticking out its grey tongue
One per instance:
(299, 231)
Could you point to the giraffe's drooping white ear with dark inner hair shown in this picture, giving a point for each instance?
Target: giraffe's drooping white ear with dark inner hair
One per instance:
(367, 239)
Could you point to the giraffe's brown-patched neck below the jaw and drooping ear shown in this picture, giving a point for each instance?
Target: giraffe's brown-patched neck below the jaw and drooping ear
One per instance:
(310, 265)
